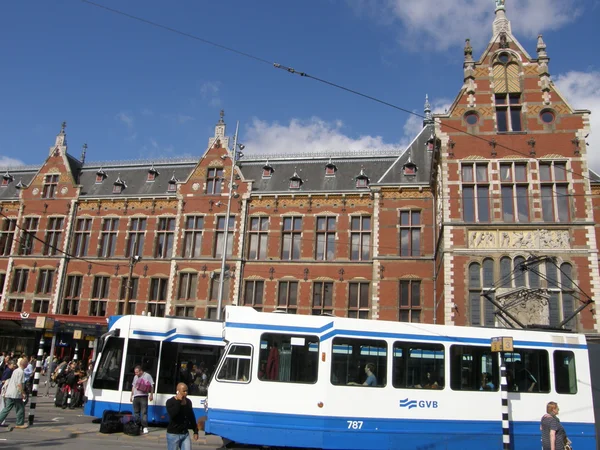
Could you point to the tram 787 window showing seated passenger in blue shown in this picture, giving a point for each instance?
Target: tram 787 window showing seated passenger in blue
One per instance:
(350, 358)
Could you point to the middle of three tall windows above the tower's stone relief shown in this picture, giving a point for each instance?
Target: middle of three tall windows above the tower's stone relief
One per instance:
(515, 192)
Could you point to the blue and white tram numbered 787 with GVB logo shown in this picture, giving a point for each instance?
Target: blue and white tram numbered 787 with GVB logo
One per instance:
(302, 381)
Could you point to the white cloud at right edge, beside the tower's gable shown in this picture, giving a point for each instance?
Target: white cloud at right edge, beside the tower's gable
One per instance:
(582, 91)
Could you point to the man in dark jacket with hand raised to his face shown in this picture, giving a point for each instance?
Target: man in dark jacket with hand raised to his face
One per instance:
(181, 419)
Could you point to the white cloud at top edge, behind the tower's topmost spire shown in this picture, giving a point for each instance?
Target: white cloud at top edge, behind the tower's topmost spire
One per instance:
(439, 25)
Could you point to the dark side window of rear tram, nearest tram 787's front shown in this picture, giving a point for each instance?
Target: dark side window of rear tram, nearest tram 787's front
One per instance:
(191, 364)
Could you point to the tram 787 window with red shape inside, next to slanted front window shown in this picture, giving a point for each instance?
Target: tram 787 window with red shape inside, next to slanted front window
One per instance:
(288, 358)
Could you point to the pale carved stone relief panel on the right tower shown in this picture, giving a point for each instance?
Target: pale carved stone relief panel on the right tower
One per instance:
(521, 240)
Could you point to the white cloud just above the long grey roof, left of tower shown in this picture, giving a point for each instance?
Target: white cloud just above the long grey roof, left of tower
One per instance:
(308, 136)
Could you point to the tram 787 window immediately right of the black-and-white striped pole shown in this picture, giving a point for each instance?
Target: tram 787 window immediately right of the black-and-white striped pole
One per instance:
(527, 371)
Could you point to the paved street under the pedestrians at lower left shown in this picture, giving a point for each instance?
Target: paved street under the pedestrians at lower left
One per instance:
(70, 429)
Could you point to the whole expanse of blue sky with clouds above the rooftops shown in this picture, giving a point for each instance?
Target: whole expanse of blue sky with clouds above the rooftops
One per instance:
(130, 90)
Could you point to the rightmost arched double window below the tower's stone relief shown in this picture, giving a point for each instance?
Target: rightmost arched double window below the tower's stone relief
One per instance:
(561, 304)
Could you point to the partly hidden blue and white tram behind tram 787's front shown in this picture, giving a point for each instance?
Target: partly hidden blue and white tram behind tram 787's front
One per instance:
(172, 350)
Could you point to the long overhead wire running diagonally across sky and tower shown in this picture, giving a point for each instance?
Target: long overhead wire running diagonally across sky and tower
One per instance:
(318, 79)
